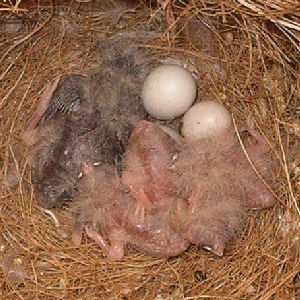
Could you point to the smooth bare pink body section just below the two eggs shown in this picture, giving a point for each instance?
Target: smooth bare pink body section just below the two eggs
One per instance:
(147, 163)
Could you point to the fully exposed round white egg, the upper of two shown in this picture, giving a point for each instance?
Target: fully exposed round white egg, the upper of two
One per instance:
(168, 92)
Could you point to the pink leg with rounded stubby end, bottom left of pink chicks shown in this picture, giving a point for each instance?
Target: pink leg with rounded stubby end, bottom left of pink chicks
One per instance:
(114, 251)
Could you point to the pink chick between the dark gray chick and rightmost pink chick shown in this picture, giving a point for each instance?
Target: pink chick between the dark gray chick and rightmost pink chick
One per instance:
(109, 213)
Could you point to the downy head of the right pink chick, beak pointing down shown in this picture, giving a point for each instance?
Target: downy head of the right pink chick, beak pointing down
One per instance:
(210, 227)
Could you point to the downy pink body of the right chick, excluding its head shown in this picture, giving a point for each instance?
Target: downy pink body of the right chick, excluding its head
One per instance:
(219, 165)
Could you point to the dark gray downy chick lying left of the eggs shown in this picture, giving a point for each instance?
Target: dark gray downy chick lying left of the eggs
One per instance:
(85, 118)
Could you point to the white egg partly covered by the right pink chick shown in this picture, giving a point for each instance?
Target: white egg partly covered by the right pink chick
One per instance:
(204, 120)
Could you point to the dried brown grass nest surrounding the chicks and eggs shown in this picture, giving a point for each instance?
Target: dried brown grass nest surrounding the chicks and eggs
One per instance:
(260, 62)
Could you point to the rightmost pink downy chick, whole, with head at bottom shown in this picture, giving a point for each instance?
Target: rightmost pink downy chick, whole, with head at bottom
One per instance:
(220, 185)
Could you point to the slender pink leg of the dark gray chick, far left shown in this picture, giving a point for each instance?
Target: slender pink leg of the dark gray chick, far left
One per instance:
(32, 134)
